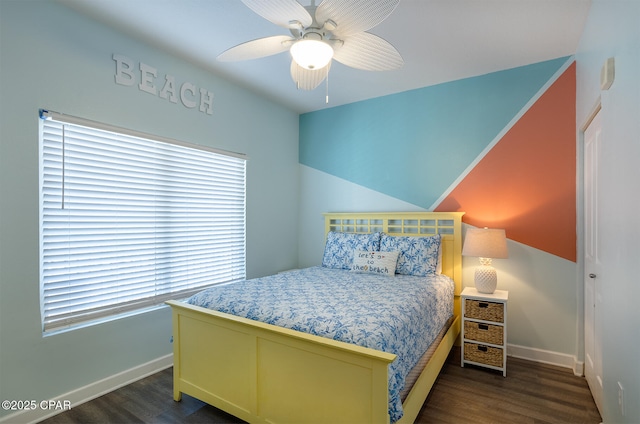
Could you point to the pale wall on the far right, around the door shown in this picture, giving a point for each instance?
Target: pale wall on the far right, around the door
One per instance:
(613, 30)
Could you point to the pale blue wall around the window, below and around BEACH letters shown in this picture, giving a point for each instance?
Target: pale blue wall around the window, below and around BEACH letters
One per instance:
(52, 57)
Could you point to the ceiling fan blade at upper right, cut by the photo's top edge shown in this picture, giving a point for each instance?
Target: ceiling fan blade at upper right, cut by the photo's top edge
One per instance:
(352, 16)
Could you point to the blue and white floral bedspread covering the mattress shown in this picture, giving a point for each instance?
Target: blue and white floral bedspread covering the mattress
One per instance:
(401, 315)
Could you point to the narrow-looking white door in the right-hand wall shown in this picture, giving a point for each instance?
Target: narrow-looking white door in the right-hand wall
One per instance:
(592, 282)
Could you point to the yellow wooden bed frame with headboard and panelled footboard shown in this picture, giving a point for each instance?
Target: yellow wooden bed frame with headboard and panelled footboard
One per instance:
(263, 373)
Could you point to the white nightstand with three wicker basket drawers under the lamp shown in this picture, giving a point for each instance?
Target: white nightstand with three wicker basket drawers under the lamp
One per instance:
(484, 329)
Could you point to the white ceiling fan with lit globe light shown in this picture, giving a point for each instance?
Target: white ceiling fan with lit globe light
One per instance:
(335, 29)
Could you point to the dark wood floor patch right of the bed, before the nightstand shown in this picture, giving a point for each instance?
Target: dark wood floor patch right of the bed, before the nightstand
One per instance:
(532, 393)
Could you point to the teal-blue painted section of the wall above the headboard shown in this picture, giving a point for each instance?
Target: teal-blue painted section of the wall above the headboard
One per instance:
(413, 145)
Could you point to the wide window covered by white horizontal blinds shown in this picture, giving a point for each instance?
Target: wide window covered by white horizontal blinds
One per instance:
(128, 221)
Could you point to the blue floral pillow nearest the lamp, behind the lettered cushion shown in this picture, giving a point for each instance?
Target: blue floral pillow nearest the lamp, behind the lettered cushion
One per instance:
(418, 255)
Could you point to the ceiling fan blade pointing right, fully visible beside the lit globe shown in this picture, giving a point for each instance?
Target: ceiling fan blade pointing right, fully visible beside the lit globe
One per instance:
(368, 52)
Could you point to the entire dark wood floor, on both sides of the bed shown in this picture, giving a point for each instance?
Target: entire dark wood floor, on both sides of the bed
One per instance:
(531, 393)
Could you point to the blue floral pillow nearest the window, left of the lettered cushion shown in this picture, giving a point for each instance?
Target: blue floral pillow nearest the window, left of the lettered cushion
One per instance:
(338, 251)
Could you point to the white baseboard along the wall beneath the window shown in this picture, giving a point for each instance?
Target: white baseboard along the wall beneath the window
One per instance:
(90, 391)
